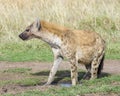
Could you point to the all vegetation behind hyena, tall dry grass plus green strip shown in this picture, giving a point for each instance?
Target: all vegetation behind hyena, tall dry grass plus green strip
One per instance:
(102, 16)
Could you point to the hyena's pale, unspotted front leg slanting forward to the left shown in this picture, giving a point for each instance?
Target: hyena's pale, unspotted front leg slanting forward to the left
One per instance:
(57, 60)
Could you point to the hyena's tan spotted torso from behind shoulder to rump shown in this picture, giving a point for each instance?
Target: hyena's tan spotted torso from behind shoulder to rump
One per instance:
(87, 45)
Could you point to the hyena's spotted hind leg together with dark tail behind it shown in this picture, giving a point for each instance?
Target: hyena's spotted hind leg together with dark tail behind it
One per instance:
(97, 65)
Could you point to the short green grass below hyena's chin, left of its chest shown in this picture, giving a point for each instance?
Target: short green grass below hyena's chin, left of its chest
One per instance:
(25, 52)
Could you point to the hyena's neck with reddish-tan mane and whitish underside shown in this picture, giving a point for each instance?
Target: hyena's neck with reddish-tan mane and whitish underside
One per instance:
(52, 34)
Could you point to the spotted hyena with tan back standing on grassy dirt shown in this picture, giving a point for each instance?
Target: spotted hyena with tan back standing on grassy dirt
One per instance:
(84, 47)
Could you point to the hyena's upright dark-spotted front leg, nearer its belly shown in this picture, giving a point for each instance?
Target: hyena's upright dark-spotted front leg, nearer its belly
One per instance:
(74, 71)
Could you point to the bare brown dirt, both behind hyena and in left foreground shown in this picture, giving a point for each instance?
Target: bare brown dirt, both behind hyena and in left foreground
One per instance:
(110, 67)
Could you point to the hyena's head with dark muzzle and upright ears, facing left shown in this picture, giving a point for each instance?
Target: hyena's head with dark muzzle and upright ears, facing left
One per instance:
(31, 30)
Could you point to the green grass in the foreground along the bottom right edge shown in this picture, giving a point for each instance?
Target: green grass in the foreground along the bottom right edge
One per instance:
(110, 84)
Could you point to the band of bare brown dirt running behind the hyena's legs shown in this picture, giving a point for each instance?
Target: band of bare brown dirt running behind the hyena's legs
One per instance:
(110, 66)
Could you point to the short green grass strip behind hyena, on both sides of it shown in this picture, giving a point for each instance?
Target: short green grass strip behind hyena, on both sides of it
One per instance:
(16, 52)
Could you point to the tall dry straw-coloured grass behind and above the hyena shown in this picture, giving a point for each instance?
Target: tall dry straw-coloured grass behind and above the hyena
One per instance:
(102, 16)
